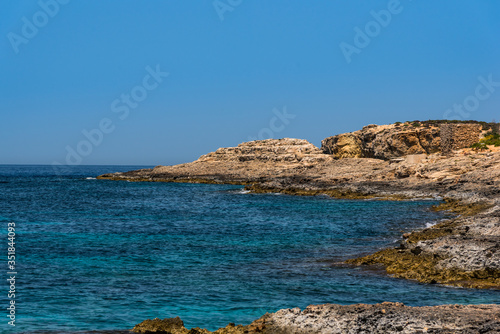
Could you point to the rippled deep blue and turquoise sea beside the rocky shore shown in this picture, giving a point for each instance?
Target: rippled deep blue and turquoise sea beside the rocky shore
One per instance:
(97, 254)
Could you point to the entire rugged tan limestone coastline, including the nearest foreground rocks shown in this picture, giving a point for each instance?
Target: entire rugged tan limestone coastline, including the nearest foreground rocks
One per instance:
(390, 162)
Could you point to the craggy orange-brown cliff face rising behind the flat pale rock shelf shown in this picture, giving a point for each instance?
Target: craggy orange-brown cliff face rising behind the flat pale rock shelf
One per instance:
(384, 142)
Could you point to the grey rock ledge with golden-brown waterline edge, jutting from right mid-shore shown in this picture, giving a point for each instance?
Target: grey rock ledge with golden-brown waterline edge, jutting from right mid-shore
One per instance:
(462, 251)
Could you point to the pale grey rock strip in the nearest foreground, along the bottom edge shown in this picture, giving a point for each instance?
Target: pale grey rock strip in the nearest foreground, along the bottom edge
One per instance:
(382, 318)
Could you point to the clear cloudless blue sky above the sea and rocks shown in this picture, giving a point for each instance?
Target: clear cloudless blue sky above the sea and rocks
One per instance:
(89, 78)
